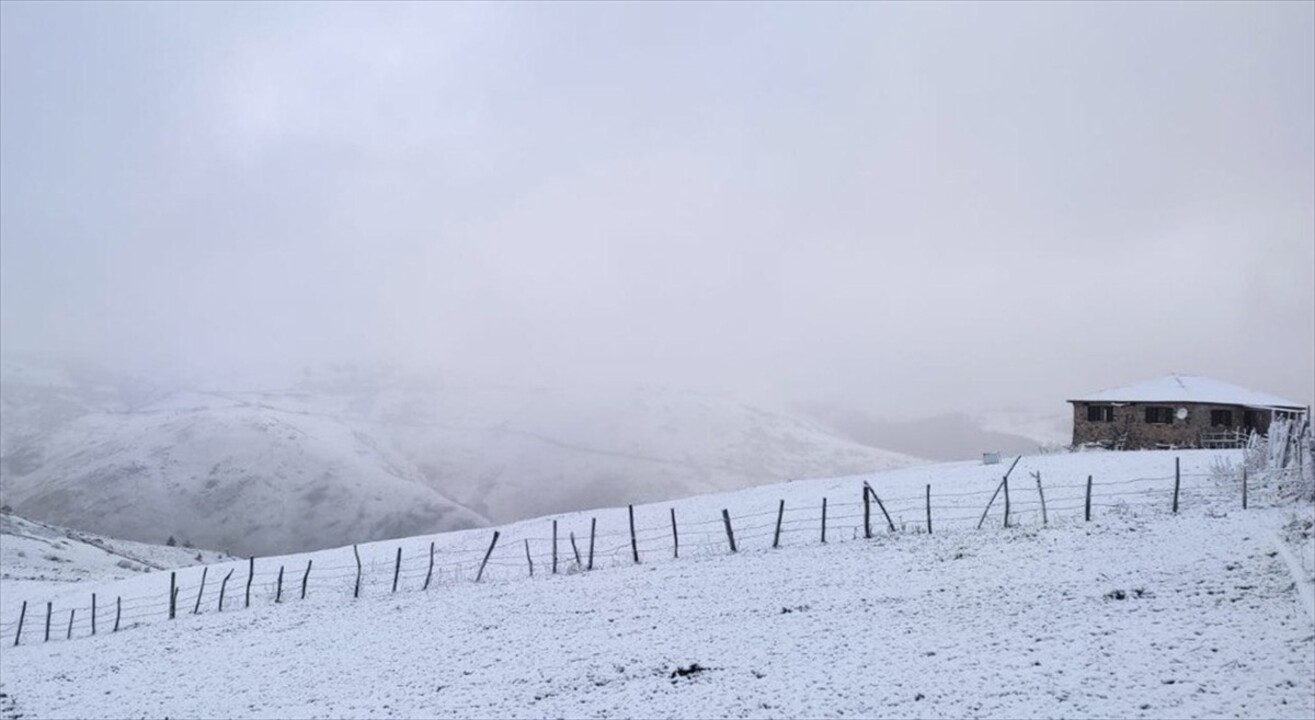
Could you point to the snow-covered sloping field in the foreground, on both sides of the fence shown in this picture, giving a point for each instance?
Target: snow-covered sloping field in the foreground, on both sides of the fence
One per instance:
(1138, 613)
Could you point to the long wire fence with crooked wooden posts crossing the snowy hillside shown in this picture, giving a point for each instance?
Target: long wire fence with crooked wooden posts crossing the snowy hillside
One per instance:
(578, 547)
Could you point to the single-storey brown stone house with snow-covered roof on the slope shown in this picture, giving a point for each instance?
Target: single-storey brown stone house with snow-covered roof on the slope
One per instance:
(1176, 411)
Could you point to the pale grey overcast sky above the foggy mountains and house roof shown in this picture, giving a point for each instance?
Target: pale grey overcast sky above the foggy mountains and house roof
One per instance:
(907, 208)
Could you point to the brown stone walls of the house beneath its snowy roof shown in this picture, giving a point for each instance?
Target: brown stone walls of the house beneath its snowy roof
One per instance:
(1132, 432)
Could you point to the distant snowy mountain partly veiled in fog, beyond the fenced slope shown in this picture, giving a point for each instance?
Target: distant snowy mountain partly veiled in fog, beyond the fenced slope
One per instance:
(345, 455)
